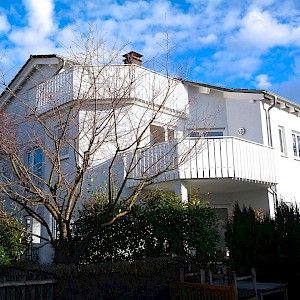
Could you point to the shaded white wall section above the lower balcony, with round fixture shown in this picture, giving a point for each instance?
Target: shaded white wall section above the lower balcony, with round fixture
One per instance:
(216, 109)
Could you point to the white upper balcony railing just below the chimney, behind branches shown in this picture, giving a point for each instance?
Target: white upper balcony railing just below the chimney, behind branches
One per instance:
(112, 83)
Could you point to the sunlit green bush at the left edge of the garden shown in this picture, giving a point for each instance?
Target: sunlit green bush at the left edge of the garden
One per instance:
(13, 242)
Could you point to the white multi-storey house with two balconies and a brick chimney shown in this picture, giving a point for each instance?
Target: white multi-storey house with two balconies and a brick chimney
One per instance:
(236, 145)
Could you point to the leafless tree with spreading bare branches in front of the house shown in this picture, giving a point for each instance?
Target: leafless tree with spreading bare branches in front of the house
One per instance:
(95, 124)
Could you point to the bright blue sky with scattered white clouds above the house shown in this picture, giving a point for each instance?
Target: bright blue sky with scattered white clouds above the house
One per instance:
(232, 43)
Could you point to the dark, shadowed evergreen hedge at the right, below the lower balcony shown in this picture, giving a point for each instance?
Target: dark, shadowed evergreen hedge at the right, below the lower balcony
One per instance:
(272, 246)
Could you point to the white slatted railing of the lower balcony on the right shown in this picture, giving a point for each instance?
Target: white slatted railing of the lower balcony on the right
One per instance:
(208, 158)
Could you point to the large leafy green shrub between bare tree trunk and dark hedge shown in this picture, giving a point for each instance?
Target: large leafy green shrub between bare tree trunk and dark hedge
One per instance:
(160, 225)
